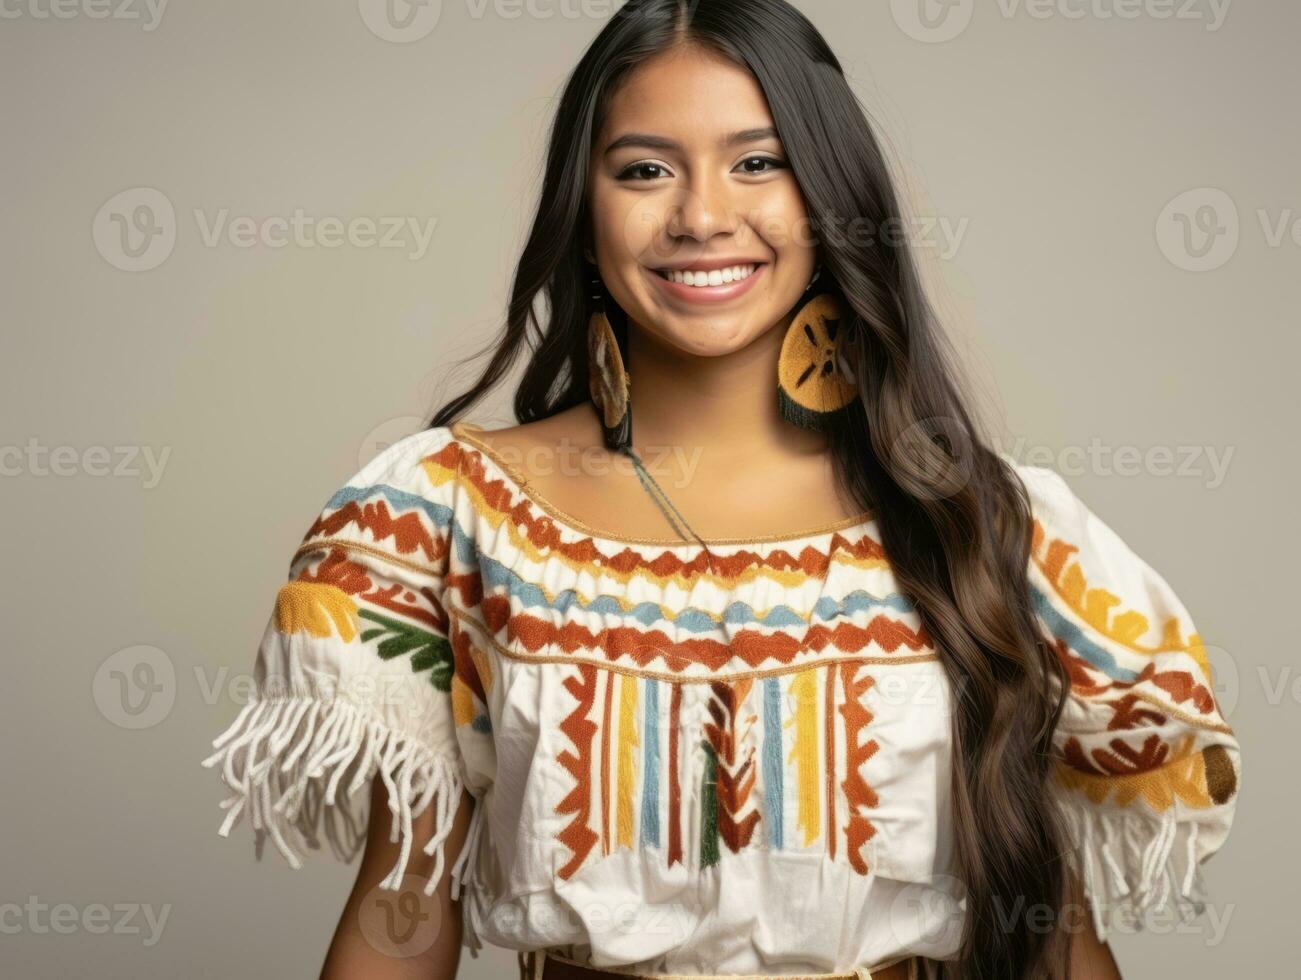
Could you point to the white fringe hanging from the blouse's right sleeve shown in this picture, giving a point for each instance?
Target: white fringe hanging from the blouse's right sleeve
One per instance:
(1130, 864)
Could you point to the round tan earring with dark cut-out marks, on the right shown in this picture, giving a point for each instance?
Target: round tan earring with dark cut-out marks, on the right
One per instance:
(811, 378)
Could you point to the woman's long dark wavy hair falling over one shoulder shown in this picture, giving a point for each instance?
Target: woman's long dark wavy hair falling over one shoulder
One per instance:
(954, 519)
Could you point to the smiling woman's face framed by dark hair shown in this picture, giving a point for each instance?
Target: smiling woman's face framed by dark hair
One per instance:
(699, 228)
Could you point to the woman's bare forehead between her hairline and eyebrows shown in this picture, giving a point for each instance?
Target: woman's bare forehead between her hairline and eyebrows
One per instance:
(690, 94)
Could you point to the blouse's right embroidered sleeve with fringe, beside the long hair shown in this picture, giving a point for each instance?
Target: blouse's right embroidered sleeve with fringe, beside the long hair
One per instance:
(1147, 767)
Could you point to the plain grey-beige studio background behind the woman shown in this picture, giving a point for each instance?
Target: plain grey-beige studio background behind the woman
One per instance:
(1070, 152)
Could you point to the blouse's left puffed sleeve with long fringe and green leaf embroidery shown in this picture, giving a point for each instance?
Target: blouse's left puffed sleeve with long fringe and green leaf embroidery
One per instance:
(357, 674)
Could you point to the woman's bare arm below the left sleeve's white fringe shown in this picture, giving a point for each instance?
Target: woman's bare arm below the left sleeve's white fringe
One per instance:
(400, 935)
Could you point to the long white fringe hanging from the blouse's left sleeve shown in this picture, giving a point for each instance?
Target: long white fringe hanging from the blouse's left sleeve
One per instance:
(276, 758)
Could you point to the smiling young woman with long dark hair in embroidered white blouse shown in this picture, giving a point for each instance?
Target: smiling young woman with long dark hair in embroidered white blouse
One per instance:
(835, 689)
